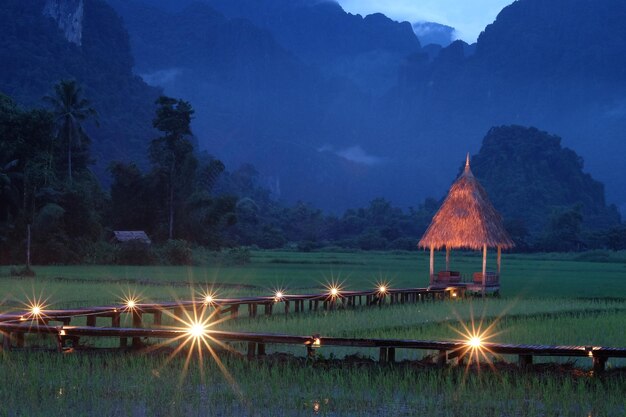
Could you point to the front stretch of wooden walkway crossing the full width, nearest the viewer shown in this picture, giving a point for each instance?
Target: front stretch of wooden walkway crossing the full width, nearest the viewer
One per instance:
(257, 342)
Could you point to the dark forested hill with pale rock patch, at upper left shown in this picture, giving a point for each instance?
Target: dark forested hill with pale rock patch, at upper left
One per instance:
(36, 51)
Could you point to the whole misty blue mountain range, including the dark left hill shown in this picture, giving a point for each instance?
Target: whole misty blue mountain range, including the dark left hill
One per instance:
(376, 115)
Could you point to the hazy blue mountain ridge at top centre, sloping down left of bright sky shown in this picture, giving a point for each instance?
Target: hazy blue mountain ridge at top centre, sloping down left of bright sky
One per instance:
(366, 50)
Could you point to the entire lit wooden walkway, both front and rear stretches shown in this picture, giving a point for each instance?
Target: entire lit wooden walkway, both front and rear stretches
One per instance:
(14, 326)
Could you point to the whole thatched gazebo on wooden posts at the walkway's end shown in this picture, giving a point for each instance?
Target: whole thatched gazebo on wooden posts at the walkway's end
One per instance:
(466, 220)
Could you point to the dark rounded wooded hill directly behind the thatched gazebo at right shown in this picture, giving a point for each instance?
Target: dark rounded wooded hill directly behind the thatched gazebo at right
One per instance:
(528, 174)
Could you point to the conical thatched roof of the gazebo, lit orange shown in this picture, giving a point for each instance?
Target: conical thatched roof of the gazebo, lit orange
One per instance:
(467, 219)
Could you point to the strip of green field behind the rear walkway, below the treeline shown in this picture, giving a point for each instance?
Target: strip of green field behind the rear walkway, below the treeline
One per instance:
(526, 276)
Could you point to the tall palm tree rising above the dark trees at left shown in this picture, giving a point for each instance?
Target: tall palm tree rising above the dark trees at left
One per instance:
(70, 110)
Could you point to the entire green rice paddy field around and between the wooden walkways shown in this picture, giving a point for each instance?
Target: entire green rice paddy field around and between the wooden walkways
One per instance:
(546, 299)
